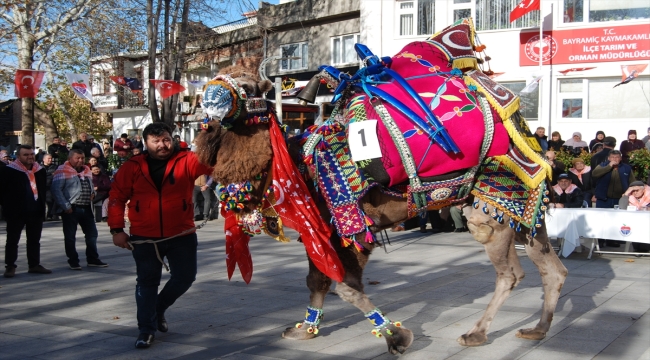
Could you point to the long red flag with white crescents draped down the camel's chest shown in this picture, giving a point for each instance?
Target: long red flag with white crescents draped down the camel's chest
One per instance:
(297, 210)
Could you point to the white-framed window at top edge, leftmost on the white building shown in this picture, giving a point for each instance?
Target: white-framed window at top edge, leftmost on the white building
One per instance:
(416, 17)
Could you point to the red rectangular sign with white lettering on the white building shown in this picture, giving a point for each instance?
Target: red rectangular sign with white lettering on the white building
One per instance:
(602, 44)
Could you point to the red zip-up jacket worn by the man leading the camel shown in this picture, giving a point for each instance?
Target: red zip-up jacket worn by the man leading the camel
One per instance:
(154, 213)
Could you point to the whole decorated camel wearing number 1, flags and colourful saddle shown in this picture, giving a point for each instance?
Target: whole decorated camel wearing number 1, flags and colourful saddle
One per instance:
(422, 130)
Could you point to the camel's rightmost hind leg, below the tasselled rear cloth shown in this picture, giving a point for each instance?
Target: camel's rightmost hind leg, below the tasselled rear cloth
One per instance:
(553, 275)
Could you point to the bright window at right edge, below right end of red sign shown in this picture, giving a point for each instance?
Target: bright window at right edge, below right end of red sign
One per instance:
(623, 102)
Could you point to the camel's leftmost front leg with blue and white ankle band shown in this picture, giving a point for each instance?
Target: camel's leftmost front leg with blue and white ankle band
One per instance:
(318, 285)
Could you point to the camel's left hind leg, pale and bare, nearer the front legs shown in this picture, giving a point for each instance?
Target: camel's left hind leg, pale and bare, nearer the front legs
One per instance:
(498, 240)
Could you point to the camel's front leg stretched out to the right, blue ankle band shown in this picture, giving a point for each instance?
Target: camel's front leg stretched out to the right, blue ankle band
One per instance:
(398, 338)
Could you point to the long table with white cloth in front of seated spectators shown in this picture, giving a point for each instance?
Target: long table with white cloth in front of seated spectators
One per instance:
(594, 224)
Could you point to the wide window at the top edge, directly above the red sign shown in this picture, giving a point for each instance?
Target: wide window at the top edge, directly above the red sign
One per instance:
(605, 10)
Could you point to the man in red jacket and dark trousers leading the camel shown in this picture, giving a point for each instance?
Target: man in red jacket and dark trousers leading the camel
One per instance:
(141, 181)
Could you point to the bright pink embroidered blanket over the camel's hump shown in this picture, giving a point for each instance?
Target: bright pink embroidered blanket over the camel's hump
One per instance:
(421, 64)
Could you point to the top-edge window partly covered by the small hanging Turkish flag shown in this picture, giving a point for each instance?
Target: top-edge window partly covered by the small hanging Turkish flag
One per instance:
(495, 15)
